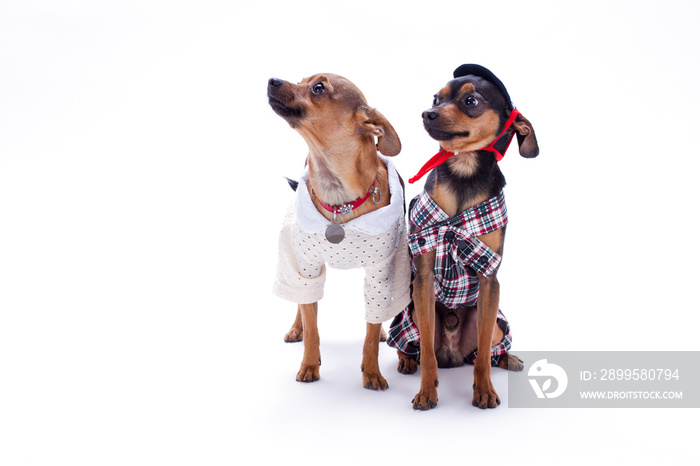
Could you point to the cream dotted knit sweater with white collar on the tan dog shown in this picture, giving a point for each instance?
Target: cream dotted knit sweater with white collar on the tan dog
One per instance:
(376, 241)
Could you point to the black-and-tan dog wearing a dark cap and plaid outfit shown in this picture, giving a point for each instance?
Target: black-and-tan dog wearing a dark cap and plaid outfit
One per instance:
(457, 234)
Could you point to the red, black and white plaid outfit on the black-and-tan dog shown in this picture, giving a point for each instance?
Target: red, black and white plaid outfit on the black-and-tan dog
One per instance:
(459, 256)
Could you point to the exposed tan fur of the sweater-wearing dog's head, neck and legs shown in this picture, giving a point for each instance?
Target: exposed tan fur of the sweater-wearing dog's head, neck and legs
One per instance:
(340, 130)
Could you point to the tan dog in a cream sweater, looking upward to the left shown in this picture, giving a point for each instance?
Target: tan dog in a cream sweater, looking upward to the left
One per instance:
(348, 213)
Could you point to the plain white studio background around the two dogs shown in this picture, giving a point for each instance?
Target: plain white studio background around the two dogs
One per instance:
(141, 193)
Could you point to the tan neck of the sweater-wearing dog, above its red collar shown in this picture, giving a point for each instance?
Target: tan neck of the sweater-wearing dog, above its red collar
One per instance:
(338, 180)
